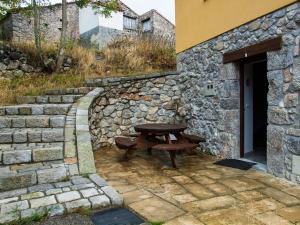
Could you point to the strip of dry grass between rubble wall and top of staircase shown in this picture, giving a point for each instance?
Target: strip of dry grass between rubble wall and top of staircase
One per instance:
(36, 85)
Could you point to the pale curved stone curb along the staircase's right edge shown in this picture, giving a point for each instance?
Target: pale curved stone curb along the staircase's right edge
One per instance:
(83, 138)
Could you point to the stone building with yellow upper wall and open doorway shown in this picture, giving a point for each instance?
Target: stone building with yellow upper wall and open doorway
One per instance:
(241, 67)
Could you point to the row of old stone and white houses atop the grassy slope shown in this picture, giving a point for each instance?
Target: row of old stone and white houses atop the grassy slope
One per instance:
(84, 24)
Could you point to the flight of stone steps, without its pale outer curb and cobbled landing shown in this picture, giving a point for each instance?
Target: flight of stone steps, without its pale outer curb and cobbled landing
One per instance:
(37, 139)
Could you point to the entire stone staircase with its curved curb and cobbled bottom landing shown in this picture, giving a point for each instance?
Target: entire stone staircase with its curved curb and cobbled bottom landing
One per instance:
(45, 147)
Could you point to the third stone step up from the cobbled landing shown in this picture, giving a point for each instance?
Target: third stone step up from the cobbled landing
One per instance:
(31, 135)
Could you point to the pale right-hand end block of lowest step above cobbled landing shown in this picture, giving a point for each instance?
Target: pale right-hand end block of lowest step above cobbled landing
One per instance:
(51, 175)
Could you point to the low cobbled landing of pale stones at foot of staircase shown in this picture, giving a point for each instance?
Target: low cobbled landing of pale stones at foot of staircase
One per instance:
(59, 198)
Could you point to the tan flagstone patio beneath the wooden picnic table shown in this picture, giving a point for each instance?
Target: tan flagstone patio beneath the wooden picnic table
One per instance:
(199, 192)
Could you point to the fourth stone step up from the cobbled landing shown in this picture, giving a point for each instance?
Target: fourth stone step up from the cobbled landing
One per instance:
(36, 121)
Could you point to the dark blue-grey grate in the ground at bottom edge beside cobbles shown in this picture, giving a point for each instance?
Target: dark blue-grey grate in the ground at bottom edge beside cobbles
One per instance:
(116, 217)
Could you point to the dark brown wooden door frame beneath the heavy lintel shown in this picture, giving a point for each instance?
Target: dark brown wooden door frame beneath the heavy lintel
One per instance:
(242, 63)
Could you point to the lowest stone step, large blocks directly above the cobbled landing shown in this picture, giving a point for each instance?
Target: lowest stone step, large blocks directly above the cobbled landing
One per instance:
(31, 174)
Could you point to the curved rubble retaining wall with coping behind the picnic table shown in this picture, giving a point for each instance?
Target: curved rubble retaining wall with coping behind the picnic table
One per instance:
(133, 100)
